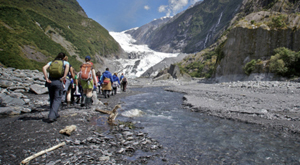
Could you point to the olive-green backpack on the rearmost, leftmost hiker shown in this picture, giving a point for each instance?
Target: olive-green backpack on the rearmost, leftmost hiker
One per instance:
(56, 69)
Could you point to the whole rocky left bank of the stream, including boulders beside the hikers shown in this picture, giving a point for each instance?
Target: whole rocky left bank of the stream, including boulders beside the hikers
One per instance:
(24, 130)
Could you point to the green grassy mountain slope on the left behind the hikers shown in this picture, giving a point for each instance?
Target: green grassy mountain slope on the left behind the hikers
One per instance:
(35, 31)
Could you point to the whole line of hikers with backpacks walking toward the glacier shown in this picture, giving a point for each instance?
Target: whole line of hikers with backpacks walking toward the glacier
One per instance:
(66, 85)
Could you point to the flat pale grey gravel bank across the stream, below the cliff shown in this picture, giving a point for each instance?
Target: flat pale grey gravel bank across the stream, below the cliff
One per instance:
(268, 103)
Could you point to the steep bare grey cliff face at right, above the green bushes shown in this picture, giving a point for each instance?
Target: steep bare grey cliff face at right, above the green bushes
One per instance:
(255, 37)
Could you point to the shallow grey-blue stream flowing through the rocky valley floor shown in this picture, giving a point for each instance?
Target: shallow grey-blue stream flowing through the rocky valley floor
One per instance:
(195, 138)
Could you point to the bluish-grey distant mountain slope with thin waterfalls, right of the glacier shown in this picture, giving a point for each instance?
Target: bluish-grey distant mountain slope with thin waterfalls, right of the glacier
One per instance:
(192, 30)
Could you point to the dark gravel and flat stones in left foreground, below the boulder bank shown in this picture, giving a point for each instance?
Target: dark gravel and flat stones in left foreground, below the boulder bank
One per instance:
(93, 142)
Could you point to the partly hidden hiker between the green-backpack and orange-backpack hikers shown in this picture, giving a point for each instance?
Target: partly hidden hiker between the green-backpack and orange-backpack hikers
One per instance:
(68, 84)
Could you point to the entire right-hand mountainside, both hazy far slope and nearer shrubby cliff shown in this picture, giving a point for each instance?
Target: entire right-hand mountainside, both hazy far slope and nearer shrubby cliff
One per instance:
(233, 40)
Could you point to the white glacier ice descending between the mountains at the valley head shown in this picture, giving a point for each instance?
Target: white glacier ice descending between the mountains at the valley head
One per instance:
(141, 57)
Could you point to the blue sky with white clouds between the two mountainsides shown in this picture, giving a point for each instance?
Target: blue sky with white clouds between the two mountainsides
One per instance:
(120, 15)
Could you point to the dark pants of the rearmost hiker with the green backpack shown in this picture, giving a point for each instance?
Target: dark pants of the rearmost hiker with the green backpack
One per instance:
(55, 89)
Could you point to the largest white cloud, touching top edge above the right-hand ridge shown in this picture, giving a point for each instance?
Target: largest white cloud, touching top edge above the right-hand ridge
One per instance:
(173, 7)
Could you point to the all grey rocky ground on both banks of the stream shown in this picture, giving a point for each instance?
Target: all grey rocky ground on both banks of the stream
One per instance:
(24, 106)
